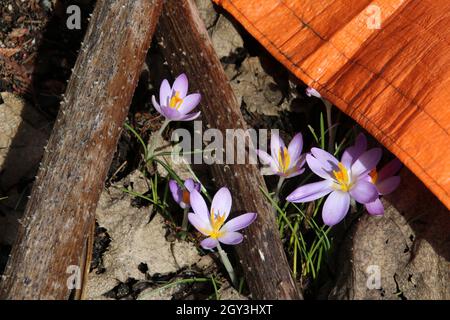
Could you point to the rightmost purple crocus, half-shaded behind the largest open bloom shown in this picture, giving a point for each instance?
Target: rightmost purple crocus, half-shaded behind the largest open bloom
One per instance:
(386, 182)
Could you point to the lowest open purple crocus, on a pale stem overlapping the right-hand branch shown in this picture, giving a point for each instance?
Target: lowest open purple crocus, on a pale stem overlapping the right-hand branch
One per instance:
(212, 223)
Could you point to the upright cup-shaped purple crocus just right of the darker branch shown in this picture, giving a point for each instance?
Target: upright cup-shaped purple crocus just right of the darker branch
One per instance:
(285, 162)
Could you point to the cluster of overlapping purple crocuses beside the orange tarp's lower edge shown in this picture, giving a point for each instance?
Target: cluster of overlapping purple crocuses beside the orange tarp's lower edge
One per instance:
(353, 178)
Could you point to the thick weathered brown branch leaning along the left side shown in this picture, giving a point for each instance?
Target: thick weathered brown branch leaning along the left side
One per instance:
(61, 210)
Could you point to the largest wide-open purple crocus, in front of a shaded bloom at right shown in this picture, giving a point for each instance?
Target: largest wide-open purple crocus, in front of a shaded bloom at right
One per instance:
(344, 180)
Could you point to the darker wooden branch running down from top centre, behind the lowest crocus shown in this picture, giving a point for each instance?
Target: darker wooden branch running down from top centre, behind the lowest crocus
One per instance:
(187, 48)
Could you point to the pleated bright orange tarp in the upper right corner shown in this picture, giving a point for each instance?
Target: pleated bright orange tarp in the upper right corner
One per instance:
(385, 63)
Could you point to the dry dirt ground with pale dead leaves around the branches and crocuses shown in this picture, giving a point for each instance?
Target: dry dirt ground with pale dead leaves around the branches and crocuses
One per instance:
(135, 252)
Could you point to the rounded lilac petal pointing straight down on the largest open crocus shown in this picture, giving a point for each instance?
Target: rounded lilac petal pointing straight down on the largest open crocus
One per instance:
(335, 208)
